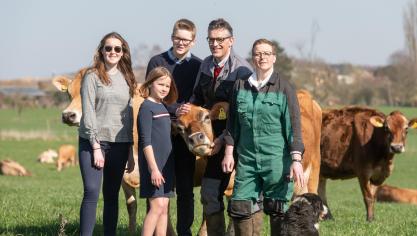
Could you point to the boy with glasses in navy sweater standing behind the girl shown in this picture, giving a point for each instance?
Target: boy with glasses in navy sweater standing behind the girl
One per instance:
(184, 67)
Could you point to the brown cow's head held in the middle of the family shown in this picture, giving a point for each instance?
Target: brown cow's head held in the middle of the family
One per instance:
(195, 127)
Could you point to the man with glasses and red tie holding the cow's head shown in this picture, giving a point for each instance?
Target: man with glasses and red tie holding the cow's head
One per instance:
(215, 80)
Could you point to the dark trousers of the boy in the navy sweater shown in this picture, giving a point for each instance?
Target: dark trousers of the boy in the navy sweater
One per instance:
(184, 176)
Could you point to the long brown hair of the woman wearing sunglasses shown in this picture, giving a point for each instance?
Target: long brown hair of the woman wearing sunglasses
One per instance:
(124, 65)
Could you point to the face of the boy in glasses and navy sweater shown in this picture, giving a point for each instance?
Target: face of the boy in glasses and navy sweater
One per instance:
(182, 41)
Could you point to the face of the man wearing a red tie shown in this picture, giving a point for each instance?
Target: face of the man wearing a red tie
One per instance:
(219, 49)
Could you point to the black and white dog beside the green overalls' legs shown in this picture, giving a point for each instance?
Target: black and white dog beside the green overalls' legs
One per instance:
(302, 218)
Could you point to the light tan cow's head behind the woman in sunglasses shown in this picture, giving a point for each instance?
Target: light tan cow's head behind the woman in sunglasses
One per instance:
(72, 114)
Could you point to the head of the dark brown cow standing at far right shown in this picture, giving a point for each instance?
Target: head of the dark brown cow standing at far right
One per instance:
(395, 127)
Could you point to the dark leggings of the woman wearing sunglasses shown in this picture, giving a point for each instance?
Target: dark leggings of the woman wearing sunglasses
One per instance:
(115, 155)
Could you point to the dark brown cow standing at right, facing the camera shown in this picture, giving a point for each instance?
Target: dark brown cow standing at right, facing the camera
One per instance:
(361, 142)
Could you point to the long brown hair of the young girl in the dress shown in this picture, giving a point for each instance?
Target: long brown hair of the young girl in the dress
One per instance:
(155, 74)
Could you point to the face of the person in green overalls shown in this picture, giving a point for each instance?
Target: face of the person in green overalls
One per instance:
(263, 57)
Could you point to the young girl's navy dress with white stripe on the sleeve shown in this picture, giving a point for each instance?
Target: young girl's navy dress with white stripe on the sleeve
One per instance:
(154, 128)
